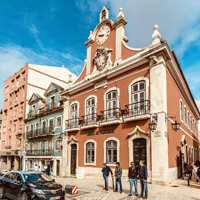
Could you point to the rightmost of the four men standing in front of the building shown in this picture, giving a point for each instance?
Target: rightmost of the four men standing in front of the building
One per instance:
(143, 179)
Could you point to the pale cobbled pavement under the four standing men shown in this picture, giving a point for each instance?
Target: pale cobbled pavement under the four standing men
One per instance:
(178, 189)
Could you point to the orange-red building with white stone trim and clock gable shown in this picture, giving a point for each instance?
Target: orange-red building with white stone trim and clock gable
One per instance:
(121, 93)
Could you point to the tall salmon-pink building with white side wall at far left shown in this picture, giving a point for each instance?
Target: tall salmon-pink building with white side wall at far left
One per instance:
(17, 92)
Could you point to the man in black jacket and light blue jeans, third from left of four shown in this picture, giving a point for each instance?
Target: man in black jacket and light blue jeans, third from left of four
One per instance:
(132, 175)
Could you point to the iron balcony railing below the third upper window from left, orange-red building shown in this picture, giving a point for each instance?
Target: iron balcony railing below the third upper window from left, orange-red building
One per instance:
(109, 115)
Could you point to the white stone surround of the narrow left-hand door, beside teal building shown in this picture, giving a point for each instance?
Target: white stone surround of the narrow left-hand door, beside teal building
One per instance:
(71, 141)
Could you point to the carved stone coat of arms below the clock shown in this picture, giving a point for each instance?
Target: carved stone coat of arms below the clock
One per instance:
(101, 58)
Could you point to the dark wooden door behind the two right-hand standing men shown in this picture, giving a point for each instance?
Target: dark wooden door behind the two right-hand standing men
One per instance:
(139, 151)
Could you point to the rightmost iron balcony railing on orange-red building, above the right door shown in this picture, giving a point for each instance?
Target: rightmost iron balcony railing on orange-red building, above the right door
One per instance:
(137, 109)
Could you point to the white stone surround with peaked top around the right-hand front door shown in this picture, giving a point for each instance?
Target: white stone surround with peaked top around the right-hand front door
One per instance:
(138, 133)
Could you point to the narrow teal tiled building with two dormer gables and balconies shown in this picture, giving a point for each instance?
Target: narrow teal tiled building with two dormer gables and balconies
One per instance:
(43, 142)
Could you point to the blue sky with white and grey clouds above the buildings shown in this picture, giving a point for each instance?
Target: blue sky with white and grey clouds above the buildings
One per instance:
(53, 32)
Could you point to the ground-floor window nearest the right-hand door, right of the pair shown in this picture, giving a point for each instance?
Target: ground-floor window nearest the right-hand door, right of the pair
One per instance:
(111, 151)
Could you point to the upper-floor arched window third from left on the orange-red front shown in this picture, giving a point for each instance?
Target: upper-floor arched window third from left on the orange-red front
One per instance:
(111, 105)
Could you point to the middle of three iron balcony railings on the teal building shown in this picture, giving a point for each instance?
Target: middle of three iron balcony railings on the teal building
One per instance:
(40, 132)
